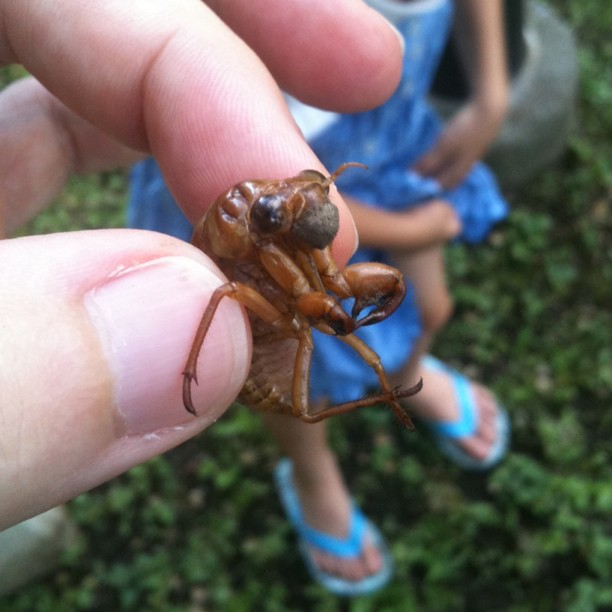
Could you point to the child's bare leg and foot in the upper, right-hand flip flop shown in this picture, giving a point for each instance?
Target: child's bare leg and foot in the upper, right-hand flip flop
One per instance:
(437, 400)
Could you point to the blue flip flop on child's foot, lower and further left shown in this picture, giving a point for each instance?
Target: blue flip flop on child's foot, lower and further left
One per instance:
(352, 546)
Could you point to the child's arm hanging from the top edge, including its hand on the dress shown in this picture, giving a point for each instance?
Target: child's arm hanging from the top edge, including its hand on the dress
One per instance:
(480, 36)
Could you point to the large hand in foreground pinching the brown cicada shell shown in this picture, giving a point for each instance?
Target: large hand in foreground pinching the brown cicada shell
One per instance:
(96, 325)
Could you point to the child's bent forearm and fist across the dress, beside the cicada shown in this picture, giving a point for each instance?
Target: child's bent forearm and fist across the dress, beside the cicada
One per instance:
(433, 223)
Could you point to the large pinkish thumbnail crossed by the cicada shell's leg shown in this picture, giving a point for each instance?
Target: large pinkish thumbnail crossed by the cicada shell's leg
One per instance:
(146, 317)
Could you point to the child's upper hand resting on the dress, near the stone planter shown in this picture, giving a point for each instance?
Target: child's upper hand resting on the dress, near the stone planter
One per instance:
(464, 141)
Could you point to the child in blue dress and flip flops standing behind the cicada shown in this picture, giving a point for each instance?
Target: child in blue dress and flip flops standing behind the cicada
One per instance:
(417, 195)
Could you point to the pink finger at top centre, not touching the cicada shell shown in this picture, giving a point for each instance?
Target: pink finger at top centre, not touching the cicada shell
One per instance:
(354, 54)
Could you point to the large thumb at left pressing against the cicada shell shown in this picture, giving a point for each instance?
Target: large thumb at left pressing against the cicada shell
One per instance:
(95, 328)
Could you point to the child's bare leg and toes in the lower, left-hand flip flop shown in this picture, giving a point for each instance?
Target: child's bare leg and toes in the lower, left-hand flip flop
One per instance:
(323, 494)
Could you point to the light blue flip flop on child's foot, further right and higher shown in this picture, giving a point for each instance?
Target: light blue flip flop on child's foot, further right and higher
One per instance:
(446, 433)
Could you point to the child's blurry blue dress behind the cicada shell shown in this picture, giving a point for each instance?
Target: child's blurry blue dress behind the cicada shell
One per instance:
(388, 139)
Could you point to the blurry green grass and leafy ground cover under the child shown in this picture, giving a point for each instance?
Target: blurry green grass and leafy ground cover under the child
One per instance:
(201, 527)
